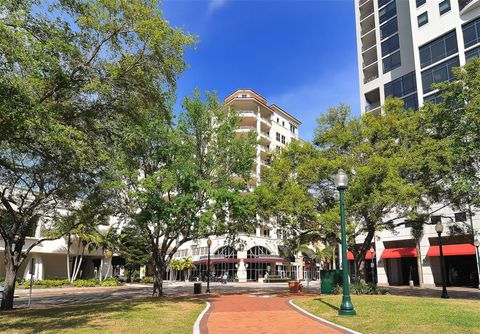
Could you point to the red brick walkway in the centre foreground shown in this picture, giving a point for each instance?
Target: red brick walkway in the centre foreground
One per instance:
(257, 313)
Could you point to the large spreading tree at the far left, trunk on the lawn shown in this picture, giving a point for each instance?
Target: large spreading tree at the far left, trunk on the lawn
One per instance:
(72, 74)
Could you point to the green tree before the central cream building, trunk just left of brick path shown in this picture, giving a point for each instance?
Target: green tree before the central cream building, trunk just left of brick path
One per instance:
(180, 178)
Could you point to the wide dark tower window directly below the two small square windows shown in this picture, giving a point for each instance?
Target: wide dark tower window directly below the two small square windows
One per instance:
(439, 49)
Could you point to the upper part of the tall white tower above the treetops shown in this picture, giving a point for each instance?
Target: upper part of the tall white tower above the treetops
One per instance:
(404, 46)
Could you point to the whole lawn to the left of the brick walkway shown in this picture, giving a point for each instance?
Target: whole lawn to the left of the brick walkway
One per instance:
(152, 316)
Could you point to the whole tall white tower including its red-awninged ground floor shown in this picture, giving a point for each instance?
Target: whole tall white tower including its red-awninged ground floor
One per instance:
(403, 47)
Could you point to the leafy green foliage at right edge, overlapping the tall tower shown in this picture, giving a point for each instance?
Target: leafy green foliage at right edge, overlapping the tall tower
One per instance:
(456, 122)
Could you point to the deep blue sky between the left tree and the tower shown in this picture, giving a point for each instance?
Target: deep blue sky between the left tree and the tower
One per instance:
(300, 55)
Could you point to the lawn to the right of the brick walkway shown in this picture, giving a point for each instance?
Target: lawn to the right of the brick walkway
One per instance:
(399, 314)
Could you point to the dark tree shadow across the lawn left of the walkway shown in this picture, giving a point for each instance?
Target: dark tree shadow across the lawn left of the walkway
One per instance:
(78, 316)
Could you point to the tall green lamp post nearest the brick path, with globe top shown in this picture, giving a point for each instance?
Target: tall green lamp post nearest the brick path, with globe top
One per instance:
(341, 183)
